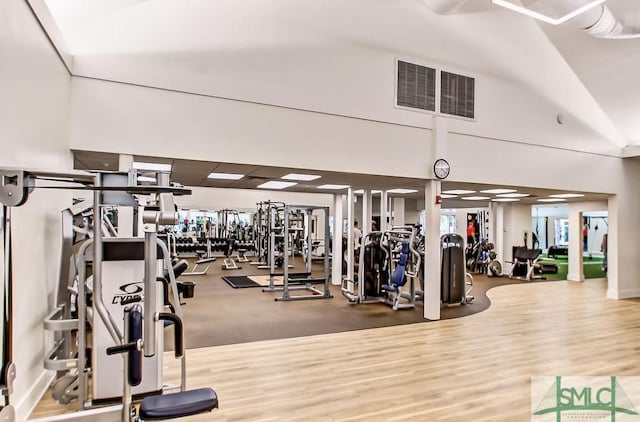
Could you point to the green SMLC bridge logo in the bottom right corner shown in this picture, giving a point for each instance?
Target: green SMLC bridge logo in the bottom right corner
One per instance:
(578, 400)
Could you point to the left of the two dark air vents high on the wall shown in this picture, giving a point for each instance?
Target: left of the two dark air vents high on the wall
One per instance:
(416, 86)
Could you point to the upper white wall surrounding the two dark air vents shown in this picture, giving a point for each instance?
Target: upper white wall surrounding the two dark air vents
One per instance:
(340, 59)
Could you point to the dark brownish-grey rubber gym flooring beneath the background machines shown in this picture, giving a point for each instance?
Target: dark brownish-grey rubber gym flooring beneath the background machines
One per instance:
(220, 314)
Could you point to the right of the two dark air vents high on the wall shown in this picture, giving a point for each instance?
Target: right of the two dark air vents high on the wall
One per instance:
(457, 95)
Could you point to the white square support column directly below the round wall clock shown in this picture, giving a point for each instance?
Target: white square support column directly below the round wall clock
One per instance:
(432, 251)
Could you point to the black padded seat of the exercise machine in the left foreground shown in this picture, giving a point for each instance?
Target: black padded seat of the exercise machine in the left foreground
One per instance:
(177, 405)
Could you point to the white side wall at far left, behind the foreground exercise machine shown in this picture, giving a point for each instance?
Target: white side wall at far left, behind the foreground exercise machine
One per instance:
(34, 117)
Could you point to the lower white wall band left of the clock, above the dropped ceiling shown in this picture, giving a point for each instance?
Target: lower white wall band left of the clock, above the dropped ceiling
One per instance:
(136, 120)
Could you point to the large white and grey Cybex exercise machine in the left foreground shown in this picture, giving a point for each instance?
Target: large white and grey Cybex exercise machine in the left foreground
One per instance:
(110, 255)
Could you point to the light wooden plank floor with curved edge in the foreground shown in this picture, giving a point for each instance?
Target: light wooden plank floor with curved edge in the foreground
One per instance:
(475, 368)
